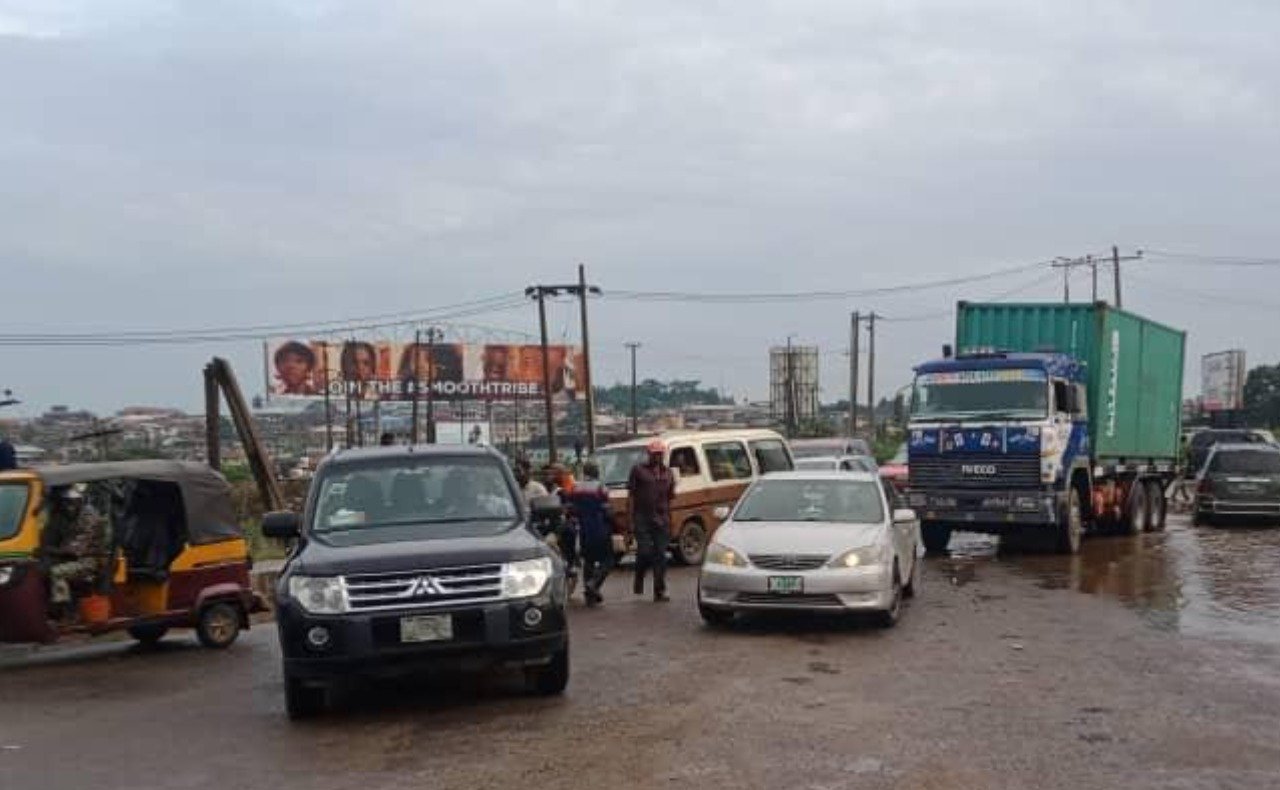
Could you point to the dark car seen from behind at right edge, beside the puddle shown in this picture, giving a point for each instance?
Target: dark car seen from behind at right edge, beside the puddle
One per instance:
(1240, 481)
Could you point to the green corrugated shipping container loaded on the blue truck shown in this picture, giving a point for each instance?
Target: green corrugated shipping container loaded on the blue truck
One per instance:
(1133, 368)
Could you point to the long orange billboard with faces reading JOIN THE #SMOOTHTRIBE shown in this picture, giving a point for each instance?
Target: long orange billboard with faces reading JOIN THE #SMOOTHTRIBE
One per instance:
(399, 372)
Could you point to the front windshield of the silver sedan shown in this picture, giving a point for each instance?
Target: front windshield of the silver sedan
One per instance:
(838, 501)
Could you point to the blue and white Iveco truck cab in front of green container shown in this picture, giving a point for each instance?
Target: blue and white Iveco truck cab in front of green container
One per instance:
(995, 444)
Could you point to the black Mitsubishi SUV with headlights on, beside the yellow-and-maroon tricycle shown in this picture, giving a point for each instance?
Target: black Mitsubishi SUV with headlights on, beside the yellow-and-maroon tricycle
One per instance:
(412, 560)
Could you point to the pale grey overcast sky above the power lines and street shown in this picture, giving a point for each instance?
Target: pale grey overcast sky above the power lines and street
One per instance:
(257, 162)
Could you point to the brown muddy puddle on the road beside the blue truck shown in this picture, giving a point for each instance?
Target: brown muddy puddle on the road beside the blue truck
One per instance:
(1209, 582)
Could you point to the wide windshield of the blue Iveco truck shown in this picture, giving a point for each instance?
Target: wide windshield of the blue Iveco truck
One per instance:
(981, 394)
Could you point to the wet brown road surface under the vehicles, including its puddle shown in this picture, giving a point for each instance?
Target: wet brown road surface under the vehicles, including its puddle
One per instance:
(1146, 663)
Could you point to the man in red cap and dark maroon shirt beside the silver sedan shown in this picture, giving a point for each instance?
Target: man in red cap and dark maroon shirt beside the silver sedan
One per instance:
(651, 488)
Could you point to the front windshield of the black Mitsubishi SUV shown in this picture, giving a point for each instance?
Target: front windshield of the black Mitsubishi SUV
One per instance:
(417, 491)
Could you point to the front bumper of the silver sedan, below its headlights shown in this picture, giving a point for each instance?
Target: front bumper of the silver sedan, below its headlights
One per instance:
(828, 590)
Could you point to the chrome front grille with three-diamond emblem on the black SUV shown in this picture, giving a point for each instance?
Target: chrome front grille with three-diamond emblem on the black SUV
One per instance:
(424, 590)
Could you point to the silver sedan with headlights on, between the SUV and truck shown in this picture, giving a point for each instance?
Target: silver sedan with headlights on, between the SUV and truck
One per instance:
(821, 541)
